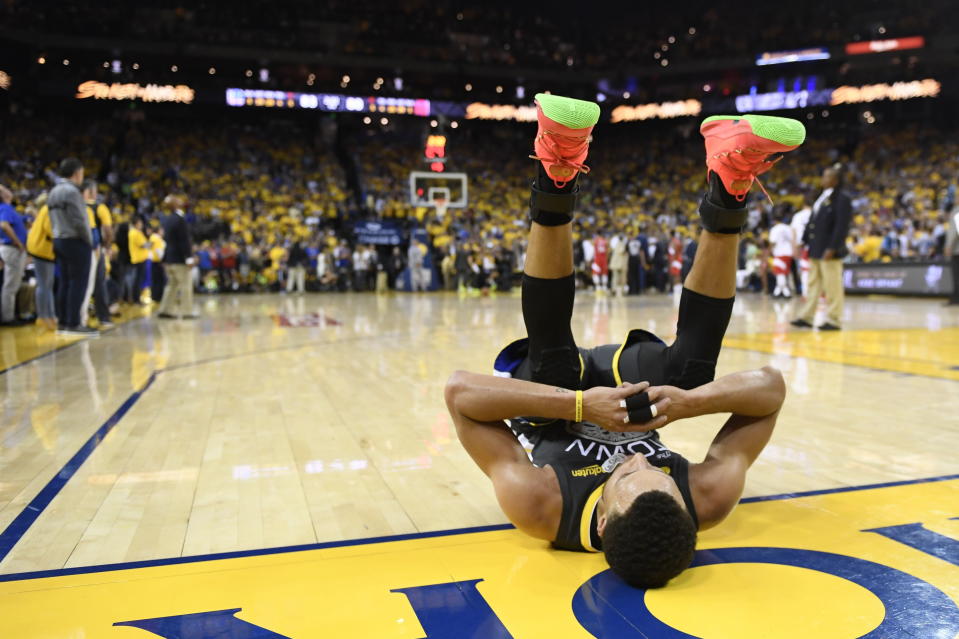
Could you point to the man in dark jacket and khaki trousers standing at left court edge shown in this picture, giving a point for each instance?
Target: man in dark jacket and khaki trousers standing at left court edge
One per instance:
(177, 260)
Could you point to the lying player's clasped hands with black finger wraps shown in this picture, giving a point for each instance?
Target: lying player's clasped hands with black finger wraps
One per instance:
(612, 408)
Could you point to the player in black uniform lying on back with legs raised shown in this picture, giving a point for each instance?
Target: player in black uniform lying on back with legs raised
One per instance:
(598, 477)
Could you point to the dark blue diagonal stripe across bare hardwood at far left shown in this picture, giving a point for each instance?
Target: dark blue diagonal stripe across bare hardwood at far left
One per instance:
(19, 526)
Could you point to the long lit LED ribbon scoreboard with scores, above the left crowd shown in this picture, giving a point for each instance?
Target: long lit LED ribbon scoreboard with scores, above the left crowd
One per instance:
(327, 102)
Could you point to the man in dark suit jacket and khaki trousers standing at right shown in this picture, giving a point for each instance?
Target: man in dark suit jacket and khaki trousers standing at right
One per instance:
(825, 235)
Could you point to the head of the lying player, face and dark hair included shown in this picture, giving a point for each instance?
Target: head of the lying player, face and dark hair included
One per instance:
(648, 535)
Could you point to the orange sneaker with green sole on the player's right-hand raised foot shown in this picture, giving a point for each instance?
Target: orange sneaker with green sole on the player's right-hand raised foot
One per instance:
(741, 147)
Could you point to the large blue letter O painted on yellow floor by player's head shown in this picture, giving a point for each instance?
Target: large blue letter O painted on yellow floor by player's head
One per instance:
(609, 608)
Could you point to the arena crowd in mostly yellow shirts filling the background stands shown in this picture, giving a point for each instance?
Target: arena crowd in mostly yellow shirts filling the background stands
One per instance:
(268, 208)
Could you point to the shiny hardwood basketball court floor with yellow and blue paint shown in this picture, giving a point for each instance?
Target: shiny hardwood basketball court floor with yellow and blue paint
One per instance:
(242, 470)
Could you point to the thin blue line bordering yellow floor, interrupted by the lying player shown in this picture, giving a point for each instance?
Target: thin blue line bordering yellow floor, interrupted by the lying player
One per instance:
(259, 552)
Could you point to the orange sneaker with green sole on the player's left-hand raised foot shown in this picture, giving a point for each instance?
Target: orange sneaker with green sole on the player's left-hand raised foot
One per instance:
(562, 140)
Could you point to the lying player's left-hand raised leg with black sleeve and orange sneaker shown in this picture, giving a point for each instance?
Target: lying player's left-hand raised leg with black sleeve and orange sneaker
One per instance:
(561, 146)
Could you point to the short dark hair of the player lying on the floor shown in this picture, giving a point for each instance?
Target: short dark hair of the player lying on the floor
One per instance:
(650, 543)
